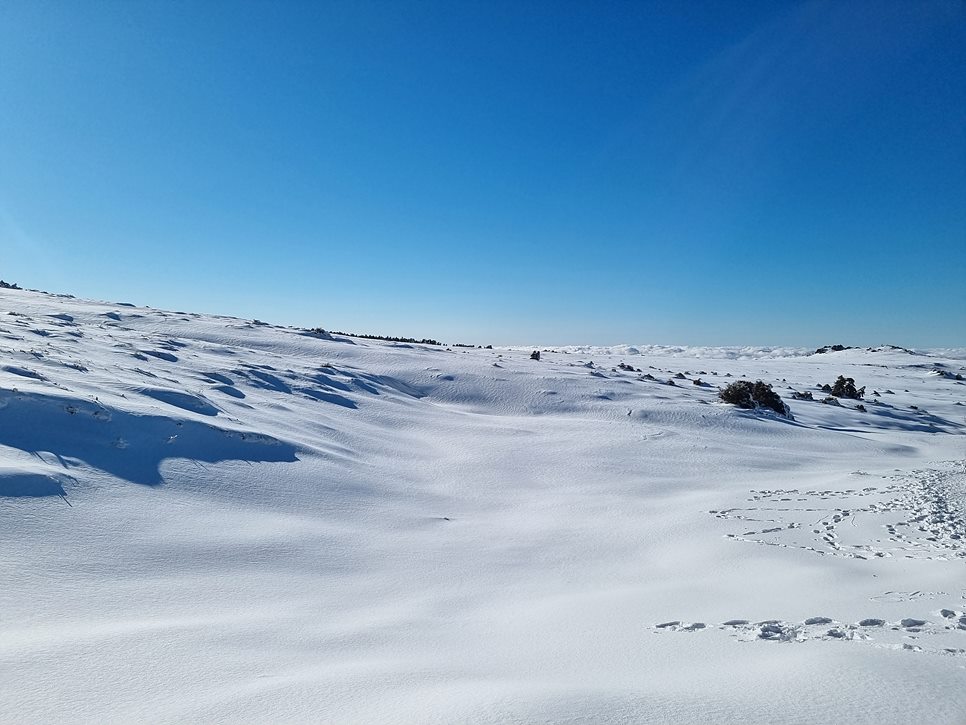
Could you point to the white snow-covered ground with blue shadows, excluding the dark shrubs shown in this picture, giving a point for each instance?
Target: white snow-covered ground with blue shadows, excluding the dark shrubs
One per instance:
(205, 519)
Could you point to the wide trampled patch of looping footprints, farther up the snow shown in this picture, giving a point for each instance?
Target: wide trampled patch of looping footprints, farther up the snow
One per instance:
(916, 516)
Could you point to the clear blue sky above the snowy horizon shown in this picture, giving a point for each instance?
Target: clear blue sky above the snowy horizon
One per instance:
(497, 172)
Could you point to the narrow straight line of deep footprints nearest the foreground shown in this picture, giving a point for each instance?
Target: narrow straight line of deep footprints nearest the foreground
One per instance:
(910, 633)
